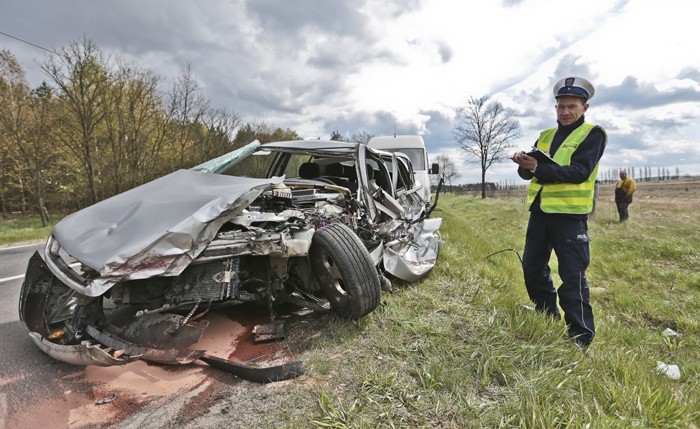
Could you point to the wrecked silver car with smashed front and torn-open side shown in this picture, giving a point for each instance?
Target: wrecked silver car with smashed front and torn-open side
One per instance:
(325, 225)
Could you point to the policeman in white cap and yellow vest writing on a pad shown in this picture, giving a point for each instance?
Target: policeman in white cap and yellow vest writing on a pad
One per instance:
(559, 199)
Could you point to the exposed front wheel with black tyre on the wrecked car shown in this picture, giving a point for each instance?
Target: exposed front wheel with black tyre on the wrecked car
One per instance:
(345, 271)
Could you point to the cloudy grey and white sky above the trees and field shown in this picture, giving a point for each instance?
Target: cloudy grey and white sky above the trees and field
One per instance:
(321, 65)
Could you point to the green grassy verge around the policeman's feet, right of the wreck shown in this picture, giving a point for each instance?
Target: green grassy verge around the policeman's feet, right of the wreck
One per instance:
(460, 350)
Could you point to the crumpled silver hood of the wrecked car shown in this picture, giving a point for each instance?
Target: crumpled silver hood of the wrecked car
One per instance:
(157, 228)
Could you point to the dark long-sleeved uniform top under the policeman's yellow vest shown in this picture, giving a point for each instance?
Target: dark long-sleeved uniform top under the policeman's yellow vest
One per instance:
(583, 160)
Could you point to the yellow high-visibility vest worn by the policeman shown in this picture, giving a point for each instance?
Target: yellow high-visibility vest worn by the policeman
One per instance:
(574, 198)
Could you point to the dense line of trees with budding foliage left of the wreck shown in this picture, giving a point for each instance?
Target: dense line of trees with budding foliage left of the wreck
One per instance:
(97, 127)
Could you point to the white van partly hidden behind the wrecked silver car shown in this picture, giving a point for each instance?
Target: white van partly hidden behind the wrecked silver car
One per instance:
(414, 148)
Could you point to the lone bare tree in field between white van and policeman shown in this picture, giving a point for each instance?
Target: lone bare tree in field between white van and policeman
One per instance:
(485, 131)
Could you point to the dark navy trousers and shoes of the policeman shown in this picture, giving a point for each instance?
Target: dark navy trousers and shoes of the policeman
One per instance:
(568, 237)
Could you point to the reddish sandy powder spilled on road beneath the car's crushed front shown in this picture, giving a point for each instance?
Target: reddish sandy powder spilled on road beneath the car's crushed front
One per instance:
(151, 395)
